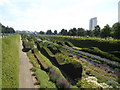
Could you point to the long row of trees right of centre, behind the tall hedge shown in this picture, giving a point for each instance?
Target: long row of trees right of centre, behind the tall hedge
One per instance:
(105, 32)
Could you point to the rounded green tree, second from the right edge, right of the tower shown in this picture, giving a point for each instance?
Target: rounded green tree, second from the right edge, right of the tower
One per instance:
(105, 32)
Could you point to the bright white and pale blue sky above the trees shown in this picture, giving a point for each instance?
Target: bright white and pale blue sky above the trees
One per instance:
(43, 15)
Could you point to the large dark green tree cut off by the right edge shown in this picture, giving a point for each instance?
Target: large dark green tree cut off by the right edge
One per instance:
(116, 30)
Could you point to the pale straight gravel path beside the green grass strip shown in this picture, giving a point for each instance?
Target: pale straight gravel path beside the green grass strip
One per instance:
(25, 78)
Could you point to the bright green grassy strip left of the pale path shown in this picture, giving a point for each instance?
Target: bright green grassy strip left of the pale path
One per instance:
(10, 62)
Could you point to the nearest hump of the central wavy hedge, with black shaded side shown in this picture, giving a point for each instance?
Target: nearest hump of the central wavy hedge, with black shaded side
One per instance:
(69, 65)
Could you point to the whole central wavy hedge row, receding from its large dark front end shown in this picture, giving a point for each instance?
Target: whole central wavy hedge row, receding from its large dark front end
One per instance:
(63, 61)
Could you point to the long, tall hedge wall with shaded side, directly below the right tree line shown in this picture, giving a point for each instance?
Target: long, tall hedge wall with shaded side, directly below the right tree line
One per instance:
(105, 45)
